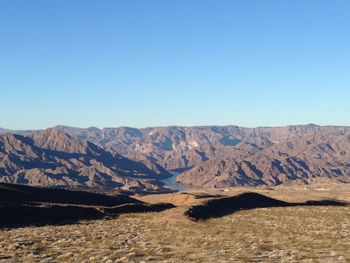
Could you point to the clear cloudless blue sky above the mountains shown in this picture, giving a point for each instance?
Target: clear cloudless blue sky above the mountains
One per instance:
(191, 62)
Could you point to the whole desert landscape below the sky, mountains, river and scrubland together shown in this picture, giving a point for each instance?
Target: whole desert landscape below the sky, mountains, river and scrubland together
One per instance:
(238, 195)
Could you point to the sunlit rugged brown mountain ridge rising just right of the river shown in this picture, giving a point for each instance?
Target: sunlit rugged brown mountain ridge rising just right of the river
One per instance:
(300, 158)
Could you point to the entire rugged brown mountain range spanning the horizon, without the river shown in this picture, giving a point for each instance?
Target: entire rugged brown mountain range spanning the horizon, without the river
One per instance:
(206, 156)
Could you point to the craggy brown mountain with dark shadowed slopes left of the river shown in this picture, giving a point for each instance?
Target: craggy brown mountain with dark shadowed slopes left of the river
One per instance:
(53, 158)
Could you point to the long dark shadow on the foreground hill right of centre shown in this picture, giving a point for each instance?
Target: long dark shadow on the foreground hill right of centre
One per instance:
(228, 205)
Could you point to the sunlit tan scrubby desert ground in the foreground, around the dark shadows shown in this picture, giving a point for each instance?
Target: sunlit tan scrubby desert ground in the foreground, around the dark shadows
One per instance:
(280, 234)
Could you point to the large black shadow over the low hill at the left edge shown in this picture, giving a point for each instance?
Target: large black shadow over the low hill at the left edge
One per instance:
(22, 206)
